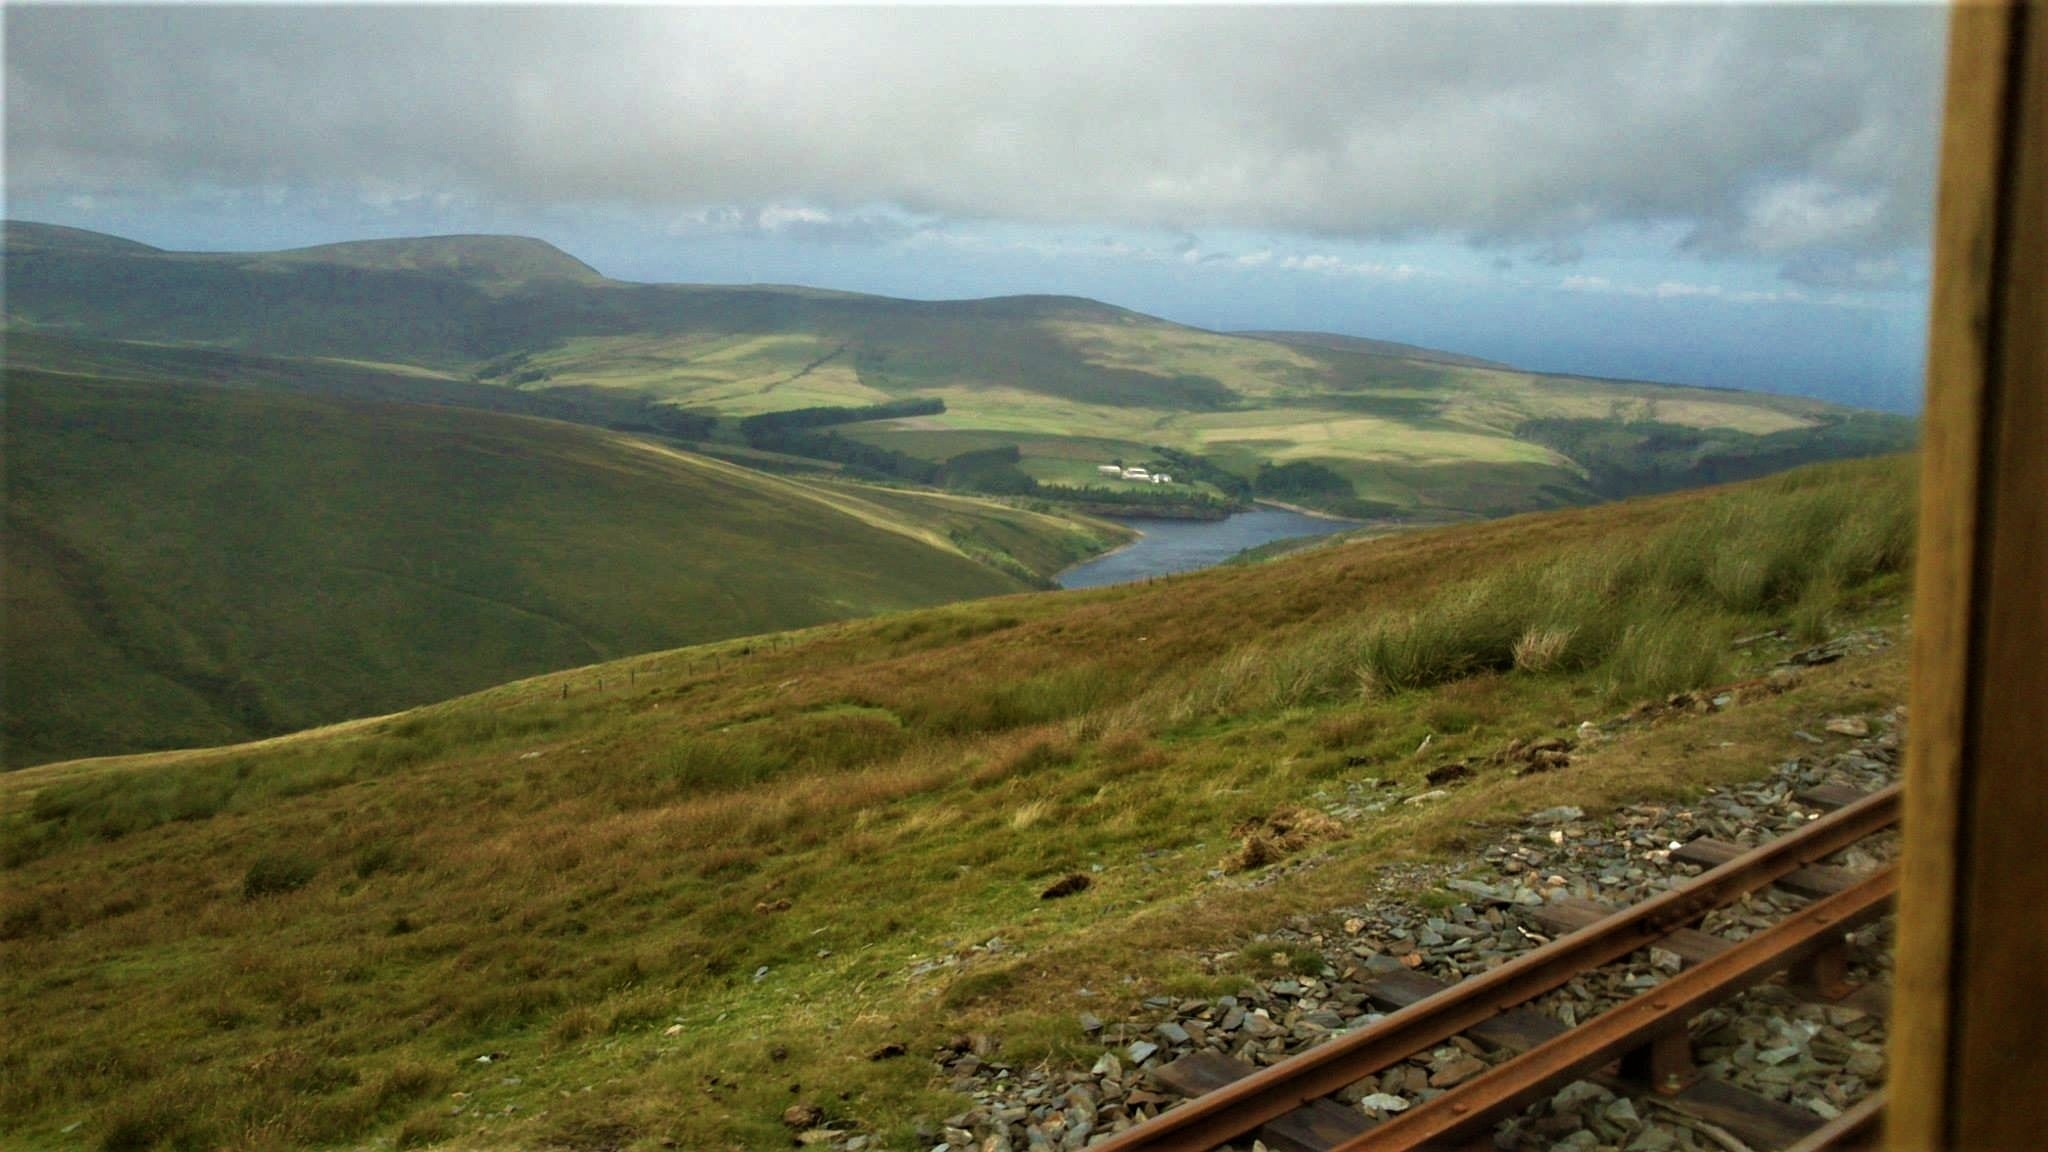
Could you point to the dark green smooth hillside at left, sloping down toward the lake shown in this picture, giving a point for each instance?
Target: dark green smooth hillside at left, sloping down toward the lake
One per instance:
(196, 565)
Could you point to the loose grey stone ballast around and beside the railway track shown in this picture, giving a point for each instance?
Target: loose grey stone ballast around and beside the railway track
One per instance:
(1816, 1059)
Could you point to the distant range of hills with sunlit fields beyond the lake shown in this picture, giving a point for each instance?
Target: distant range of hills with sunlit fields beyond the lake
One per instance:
(1068, 382)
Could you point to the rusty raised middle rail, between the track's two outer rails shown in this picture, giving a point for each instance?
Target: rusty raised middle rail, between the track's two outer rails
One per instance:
(1525, 1079)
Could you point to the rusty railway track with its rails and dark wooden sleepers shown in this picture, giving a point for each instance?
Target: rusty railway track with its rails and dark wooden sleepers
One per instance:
(1639, 1046)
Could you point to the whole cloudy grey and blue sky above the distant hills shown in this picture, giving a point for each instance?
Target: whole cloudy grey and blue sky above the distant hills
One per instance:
(1732, 196)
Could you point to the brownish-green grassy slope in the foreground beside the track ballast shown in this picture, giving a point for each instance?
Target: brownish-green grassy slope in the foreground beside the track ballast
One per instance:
(679, 905)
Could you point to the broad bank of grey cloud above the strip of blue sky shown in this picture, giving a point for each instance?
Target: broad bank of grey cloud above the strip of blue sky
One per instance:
(1764, 130)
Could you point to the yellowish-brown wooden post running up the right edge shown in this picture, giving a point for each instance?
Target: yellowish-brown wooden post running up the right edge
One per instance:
(1971, 995)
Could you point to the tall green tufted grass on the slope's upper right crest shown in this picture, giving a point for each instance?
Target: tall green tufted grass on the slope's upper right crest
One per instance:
(1648, 616)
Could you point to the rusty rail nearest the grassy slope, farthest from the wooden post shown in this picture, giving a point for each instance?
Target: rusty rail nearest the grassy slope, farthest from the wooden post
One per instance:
(1271, 1094)
